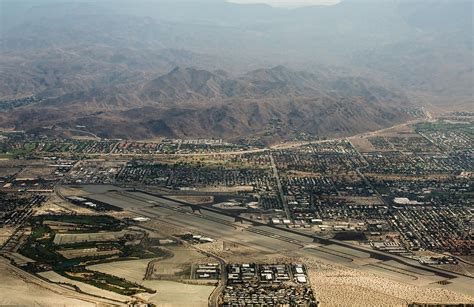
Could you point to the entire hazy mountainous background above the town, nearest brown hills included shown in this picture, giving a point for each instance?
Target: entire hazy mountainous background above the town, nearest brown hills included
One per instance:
(142, 69)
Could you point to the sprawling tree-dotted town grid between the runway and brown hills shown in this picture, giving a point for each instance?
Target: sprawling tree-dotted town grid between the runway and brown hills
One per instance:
(416, 183)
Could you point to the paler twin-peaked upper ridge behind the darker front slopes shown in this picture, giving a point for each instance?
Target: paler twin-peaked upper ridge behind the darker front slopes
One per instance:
(190, 84)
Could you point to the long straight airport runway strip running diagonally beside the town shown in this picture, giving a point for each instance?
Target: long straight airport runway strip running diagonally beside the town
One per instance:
(271, 239)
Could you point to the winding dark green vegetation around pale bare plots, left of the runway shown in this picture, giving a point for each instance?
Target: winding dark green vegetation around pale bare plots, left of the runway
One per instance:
(40, 247)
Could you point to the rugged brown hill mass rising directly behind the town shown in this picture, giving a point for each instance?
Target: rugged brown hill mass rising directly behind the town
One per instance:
(273, 104)
